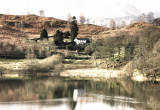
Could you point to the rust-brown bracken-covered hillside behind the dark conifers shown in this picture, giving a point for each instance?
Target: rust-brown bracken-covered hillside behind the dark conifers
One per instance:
(30, 26)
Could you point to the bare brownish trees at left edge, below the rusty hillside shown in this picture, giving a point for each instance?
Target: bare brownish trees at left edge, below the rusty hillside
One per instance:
(30, 49)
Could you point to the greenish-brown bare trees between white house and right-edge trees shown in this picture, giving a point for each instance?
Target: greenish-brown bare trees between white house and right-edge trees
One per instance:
(115, 51)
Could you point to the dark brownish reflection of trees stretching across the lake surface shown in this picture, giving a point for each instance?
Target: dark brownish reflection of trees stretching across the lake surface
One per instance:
(53, 88)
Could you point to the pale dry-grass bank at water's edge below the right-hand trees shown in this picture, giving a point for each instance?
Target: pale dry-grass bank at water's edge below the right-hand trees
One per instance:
(102, 74)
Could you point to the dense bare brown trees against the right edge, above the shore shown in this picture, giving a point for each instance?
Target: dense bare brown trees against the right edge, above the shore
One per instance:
(147, 53)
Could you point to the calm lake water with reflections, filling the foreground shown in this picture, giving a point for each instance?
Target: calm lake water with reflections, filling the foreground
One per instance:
(66, 94)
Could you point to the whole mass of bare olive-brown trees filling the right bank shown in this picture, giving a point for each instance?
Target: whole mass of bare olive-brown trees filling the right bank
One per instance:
(142, 49)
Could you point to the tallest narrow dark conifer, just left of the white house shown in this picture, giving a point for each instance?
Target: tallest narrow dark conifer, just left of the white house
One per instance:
(74, 29)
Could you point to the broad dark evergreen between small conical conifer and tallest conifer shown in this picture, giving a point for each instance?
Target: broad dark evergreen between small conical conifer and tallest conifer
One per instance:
(58, 37)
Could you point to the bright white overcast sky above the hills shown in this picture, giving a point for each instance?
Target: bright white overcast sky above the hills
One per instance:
(90, 8)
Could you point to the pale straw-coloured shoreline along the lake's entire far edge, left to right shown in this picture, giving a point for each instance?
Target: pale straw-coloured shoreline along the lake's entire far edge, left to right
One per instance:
(91, 74)
